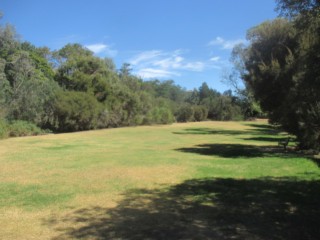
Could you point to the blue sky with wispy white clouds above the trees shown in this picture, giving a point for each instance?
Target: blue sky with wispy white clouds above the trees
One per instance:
(188, 41)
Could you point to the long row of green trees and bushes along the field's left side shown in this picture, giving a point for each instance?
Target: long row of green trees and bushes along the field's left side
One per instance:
(71, 89)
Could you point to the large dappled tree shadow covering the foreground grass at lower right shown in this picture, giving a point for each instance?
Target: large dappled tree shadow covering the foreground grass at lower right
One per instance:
(267, 208)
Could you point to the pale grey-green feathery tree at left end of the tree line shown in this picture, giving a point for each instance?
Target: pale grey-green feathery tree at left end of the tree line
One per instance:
(30, 95)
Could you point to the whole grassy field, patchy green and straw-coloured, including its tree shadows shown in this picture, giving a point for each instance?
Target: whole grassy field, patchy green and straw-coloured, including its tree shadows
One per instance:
(208, 180)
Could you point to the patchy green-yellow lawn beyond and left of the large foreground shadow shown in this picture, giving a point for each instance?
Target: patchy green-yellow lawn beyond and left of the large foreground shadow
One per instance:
(51, 175)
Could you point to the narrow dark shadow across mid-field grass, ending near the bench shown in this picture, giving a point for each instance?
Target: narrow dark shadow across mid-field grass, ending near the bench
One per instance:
(236, 150)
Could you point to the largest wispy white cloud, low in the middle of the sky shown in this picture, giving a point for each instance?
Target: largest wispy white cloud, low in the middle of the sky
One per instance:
(162, 64)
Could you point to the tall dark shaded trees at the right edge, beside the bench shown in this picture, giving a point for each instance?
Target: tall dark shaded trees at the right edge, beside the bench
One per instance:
(280, 68)
